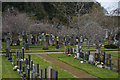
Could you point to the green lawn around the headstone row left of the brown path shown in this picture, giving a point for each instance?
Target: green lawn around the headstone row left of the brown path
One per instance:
(7, 68)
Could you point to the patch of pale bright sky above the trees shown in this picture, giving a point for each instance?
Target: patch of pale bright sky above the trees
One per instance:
(109, 5)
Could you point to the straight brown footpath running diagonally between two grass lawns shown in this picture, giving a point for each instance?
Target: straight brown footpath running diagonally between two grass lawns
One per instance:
(78, 73)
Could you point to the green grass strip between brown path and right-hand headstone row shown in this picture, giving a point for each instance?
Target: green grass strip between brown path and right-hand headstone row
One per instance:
(89, 68)
